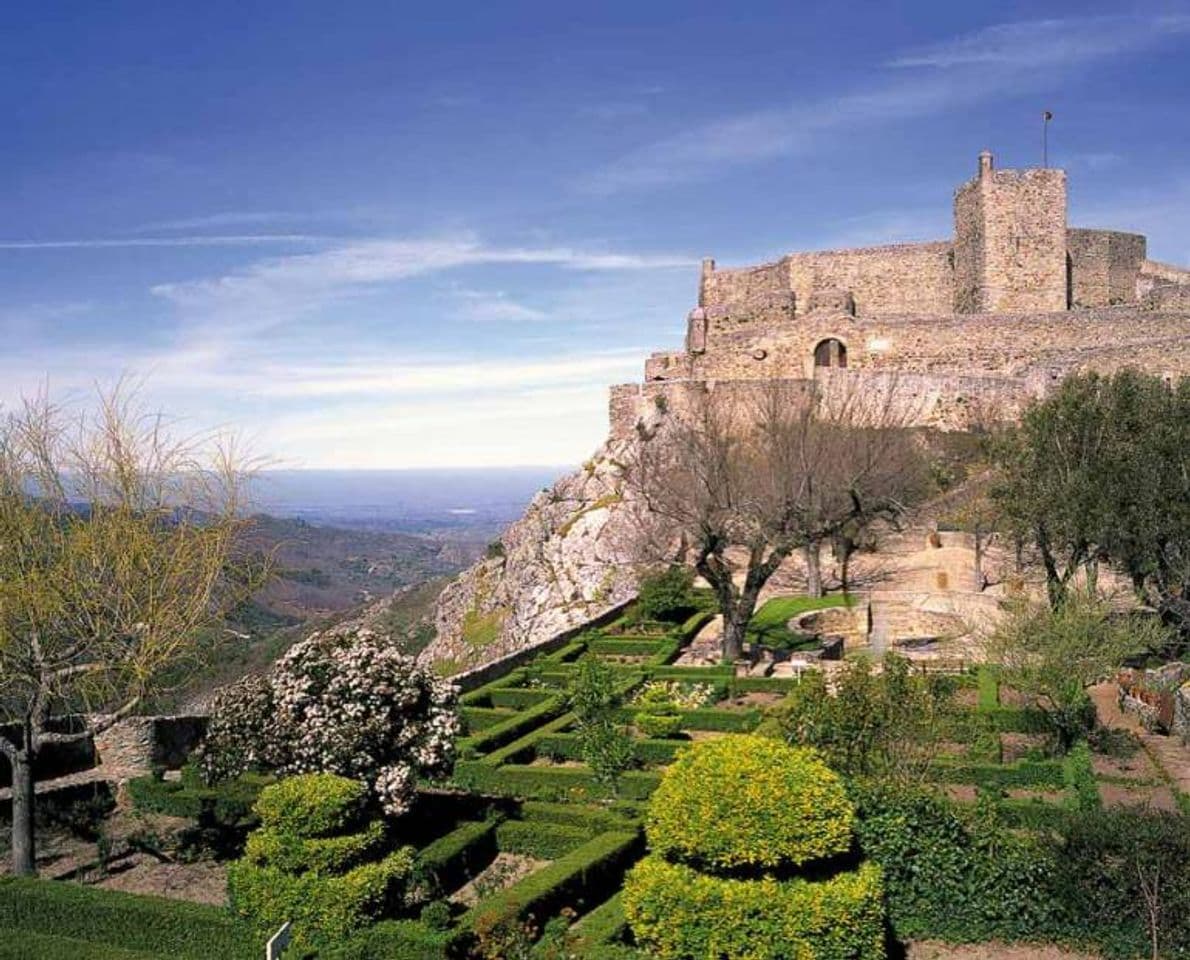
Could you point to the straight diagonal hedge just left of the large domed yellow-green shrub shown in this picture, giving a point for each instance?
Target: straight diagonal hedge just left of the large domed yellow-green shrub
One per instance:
(586, 876)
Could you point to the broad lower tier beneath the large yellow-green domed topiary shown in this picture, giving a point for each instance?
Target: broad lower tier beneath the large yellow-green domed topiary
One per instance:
(678, 913)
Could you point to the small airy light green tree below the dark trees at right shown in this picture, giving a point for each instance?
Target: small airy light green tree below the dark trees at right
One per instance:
(1053, 656)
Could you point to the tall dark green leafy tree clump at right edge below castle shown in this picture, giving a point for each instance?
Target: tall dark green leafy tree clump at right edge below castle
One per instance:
(1101, 472)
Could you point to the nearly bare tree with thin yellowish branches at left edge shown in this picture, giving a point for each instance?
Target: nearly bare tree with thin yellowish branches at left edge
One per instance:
(118, 555)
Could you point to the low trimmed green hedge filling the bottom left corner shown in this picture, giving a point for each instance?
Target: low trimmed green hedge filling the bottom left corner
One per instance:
(121, 921)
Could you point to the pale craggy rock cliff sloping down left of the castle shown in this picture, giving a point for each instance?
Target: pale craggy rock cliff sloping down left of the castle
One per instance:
(569, 560)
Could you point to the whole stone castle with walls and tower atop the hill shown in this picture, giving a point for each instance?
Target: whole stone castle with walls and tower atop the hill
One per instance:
(966, 329)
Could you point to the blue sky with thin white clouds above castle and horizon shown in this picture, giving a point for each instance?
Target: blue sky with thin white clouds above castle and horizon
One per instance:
(377, 235)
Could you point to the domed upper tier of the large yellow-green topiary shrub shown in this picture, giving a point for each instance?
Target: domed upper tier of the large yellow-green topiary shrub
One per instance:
(749, 802)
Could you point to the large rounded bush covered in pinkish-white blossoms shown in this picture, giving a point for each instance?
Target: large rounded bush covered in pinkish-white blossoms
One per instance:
(346, 704)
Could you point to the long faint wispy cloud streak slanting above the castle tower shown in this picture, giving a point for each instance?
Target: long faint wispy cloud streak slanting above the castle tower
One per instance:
(998, 61)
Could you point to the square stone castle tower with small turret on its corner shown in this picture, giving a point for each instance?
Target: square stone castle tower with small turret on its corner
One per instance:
(1011, 241)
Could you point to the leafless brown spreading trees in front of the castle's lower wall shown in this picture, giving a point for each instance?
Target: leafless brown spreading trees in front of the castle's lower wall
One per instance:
(787, 467)
